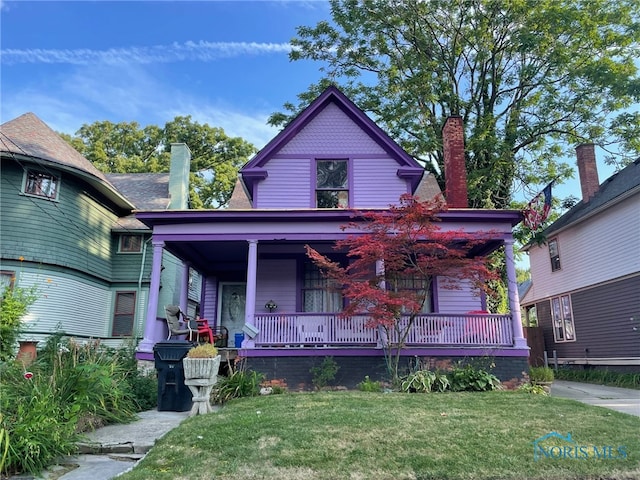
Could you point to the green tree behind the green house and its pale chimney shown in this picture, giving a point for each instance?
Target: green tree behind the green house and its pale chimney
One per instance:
(126, 148)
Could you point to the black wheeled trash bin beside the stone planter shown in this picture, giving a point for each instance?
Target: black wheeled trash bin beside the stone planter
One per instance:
(173, 394)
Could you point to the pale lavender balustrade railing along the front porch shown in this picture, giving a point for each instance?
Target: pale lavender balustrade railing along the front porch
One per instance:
(328, 329)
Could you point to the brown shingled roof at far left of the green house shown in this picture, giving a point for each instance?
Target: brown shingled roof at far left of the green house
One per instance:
(30, 139)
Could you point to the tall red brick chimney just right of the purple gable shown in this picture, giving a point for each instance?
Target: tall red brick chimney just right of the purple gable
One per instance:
(455, 171)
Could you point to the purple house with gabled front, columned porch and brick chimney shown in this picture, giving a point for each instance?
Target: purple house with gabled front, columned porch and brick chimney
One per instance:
(329, 163)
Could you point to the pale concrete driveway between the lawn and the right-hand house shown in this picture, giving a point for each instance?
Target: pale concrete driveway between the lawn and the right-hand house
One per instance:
(620, 399)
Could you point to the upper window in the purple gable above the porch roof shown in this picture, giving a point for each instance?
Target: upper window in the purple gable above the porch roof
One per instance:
(332, 190)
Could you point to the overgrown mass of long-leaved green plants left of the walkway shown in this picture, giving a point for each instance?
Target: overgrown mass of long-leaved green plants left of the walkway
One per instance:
(70, 388)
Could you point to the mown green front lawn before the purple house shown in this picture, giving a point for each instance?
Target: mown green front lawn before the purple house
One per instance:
(366, 436)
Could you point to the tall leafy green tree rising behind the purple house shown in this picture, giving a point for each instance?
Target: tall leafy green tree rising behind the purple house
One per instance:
(530, 78)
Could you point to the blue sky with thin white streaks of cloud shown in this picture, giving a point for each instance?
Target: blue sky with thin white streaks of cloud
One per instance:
(225, 63)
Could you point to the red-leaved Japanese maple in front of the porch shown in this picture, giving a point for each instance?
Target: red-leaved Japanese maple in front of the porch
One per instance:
(393, 259)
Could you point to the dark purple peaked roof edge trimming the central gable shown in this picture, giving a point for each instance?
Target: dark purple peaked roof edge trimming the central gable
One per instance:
(408, 167)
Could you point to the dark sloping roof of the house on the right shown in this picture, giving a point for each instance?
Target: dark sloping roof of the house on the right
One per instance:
(614, 189)
